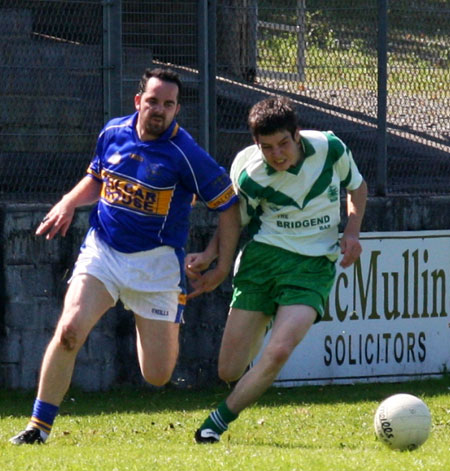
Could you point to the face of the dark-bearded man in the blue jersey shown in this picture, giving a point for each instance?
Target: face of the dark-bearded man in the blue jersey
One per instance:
(157, 108)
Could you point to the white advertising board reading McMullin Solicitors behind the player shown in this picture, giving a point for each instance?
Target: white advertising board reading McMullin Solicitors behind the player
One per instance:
(387, 317)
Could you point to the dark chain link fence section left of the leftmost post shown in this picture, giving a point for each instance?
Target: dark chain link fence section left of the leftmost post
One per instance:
(51, 94)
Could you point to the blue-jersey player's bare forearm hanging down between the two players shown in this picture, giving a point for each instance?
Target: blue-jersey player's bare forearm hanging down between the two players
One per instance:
(225, 242)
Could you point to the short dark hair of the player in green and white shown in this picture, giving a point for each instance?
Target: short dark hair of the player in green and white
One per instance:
(271, 115)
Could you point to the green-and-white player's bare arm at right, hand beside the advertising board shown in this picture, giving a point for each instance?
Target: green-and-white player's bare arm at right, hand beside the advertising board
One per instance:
(356, 205)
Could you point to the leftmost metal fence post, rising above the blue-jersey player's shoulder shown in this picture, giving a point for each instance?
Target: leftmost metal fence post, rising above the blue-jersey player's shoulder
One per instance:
(112, 59)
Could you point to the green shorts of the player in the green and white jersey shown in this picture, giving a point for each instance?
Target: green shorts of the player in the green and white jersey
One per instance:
(268, 277)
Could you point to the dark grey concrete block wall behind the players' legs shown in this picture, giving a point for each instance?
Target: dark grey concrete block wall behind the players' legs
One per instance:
(33, 282)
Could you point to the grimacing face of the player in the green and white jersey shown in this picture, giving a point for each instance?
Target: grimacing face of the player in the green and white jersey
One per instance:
(280, 149)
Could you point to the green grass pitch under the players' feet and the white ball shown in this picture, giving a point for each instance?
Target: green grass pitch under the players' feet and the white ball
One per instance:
(314, 428)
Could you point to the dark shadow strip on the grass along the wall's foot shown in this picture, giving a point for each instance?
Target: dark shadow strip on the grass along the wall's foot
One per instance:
(148, 400)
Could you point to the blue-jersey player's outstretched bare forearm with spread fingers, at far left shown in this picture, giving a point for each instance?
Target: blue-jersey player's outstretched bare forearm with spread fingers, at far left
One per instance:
(59, 218)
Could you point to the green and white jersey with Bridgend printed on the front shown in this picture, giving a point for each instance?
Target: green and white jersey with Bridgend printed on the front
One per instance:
(297, 209)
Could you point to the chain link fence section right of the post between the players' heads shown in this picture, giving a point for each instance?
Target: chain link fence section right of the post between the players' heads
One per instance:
(327, 55)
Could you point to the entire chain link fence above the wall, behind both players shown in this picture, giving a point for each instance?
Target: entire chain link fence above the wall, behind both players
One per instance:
(377, 73)
